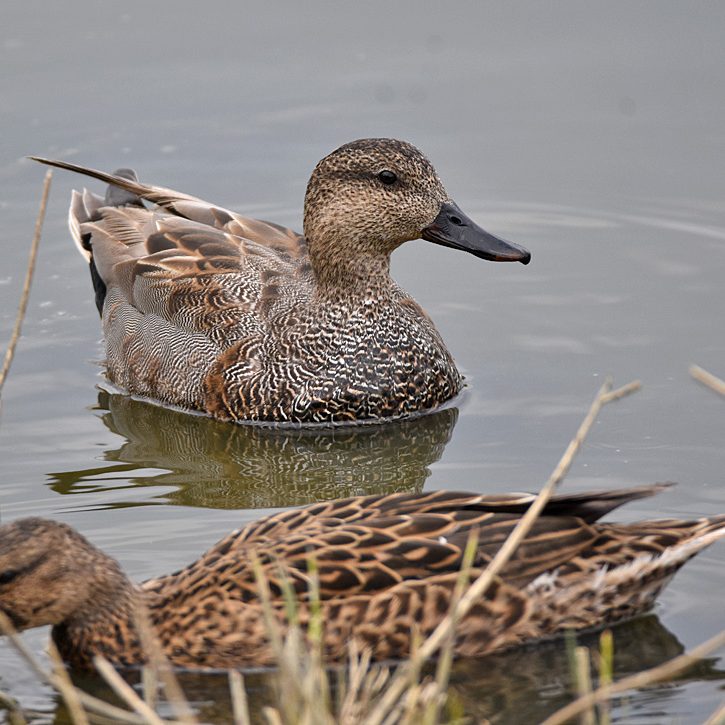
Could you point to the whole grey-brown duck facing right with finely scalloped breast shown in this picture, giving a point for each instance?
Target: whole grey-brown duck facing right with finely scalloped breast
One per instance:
(248, 321)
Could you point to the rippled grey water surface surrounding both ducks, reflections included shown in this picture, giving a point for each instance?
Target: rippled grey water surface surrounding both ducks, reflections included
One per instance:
(591, 133)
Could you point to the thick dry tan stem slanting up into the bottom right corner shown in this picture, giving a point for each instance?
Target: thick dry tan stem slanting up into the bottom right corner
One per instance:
(660, 673)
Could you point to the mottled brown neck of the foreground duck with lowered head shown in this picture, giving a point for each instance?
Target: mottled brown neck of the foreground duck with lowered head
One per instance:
(104, 624)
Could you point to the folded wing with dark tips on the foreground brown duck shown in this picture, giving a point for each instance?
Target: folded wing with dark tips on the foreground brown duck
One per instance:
(360, 547)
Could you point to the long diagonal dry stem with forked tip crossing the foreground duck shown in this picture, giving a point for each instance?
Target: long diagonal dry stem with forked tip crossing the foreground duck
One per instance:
(520, 531)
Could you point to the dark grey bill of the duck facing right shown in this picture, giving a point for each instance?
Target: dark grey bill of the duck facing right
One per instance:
(452, 228)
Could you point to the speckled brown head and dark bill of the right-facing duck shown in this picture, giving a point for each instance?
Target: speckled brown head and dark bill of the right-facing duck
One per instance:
(369, 196)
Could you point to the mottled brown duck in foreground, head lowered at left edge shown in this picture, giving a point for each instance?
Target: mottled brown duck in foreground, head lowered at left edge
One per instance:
(387, 568)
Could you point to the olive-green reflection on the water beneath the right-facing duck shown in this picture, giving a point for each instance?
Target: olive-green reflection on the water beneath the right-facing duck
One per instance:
(219, 465)
